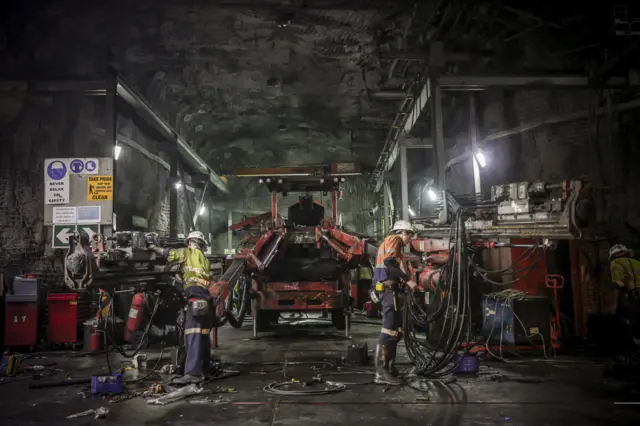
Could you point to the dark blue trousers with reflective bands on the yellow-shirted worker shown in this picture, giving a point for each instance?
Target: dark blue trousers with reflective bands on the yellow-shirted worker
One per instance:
(197, 336)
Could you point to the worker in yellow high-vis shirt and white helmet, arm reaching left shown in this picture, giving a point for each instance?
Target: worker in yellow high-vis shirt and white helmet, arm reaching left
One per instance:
(196, 276)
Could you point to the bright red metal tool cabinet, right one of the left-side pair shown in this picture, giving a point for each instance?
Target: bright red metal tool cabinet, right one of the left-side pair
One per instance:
(67, 312)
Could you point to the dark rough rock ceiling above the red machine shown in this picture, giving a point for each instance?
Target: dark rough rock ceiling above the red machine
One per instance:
(246, 85)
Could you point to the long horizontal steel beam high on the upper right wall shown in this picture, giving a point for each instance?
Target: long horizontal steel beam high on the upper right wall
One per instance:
(454, 83)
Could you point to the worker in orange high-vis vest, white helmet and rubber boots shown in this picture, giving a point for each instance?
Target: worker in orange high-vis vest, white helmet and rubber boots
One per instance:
(390, 281)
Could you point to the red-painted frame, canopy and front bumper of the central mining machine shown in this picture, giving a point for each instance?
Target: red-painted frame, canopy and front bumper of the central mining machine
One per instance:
(302, 295)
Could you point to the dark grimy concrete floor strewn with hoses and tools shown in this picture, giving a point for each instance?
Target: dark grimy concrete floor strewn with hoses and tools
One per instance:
(565, 391)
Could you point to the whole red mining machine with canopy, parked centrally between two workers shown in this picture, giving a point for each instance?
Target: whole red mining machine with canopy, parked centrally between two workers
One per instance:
(301, 263)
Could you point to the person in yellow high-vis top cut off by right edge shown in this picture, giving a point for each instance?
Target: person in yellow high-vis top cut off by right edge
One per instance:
(625, 276)
